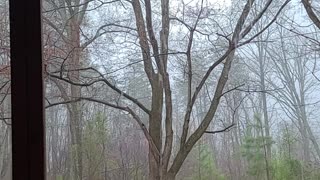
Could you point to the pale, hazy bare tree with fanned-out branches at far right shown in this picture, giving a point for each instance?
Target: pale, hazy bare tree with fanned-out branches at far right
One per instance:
(293, 71)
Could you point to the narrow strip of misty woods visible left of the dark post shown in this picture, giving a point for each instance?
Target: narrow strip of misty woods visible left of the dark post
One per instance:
(5, 104)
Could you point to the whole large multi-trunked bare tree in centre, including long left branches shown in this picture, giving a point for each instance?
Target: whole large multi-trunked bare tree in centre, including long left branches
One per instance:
(157, 51)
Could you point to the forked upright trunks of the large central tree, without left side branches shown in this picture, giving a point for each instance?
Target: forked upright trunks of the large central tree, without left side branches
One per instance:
(159, 80)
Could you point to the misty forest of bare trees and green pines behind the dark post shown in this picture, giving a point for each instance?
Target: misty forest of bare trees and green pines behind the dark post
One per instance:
(175, 89)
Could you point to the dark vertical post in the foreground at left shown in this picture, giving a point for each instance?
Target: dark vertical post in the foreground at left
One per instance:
(28, 142)
